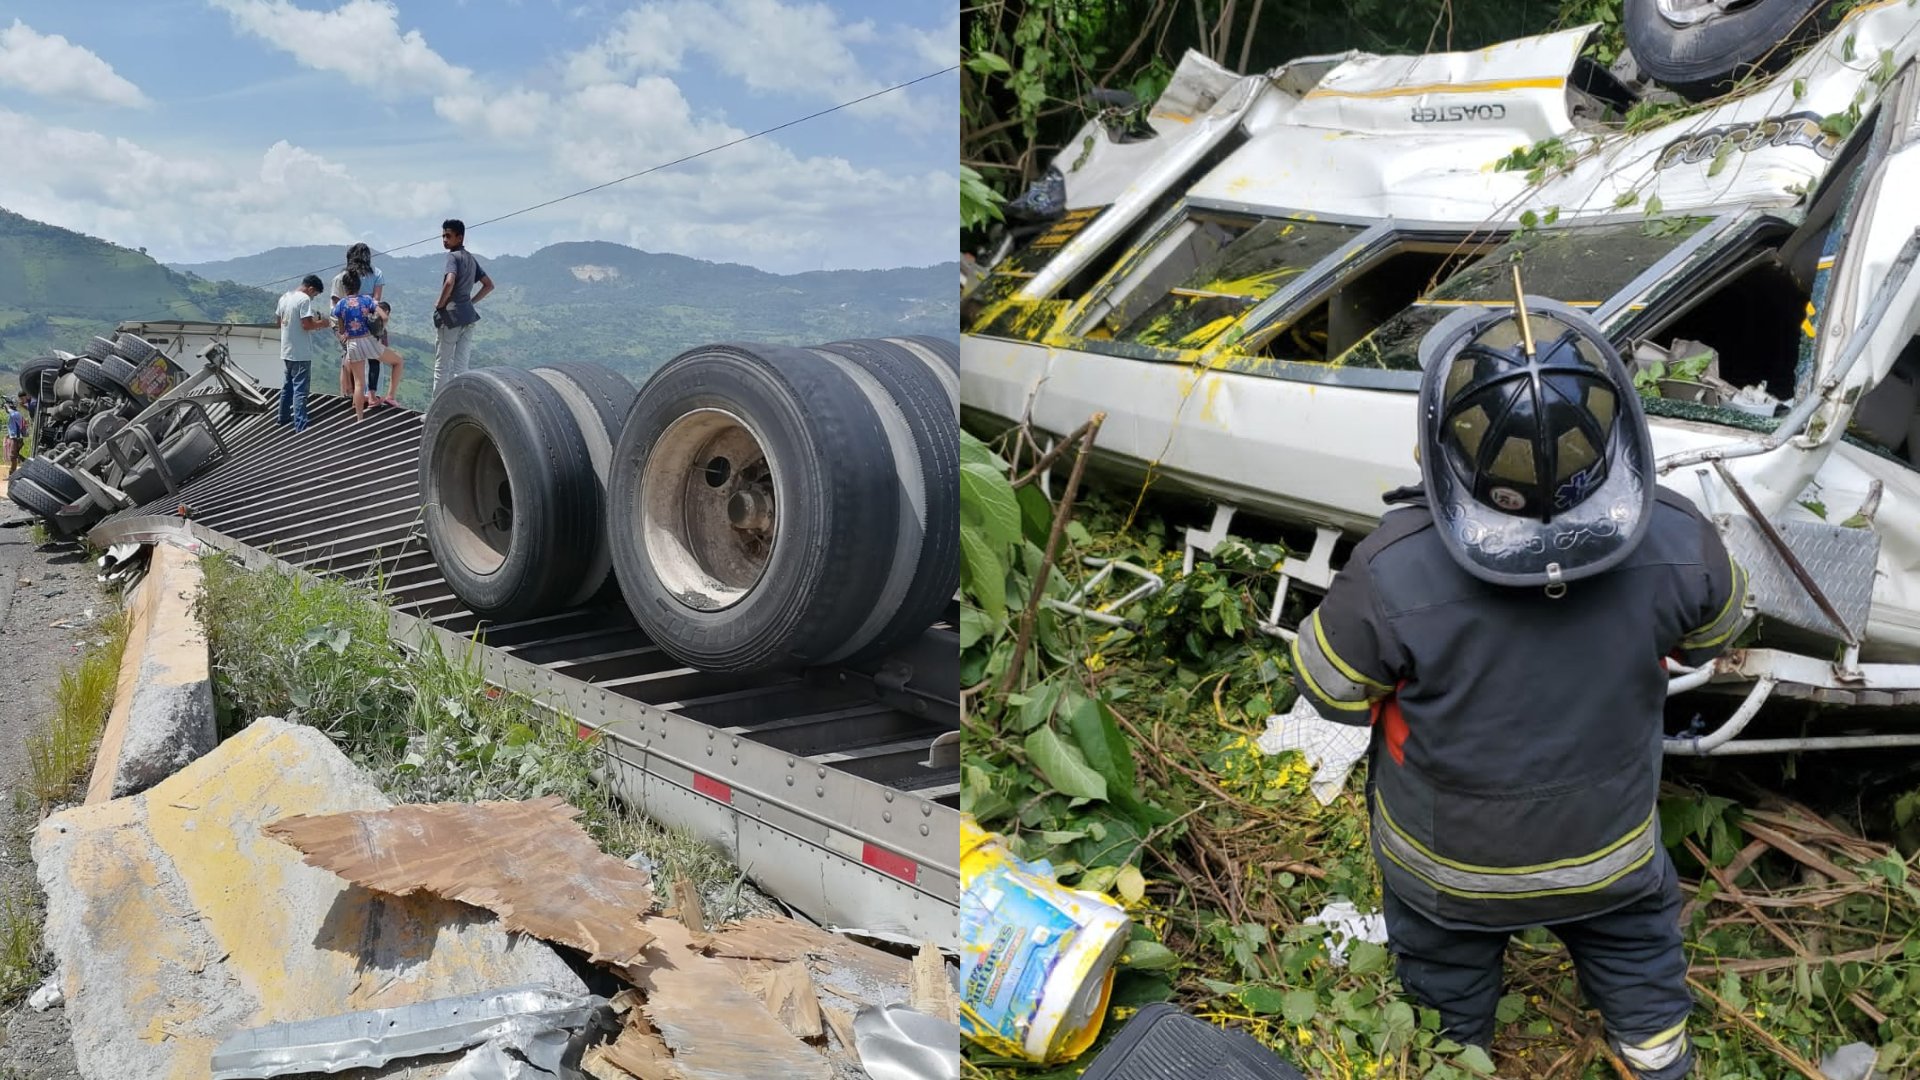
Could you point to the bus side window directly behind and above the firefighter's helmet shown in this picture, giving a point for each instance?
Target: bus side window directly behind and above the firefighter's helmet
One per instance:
(1581, 268)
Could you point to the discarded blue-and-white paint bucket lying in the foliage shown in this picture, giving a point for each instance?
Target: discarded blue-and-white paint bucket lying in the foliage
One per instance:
(1036, 958)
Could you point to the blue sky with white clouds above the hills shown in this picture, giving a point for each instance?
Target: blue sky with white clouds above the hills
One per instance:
(206, 130)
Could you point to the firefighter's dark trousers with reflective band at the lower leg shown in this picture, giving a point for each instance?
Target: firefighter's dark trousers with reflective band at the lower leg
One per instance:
(1629, 962)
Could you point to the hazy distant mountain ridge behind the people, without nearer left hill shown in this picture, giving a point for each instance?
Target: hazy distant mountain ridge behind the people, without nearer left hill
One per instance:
(635, 310)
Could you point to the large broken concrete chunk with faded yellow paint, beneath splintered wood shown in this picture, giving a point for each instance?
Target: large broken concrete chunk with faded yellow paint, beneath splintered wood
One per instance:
(178, 921)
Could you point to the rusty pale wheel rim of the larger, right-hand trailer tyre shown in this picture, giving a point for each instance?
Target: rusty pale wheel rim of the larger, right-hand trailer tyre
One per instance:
(708, 514)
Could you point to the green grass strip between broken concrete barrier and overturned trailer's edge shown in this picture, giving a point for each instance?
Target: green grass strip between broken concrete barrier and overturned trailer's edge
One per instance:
(425, 725)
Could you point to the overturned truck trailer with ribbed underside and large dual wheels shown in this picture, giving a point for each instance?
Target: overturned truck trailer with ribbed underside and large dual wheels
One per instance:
(738, 579)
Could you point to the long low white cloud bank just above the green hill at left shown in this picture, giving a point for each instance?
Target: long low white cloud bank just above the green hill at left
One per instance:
(195, 209)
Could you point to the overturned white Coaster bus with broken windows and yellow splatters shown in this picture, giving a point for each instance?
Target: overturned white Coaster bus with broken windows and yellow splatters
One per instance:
(1243, 283)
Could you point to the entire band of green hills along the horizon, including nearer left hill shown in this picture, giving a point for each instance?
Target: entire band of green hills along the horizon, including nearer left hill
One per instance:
(587, 303)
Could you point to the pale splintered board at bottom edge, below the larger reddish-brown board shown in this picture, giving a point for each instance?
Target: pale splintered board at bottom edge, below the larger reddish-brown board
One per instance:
(715, 1027)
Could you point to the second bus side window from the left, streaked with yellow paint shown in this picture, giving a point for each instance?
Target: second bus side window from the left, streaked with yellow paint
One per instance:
(1220, 268)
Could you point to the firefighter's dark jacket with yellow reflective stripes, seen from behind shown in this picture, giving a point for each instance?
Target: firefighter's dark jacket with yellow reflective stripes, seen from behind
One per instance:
(1518, 735)
